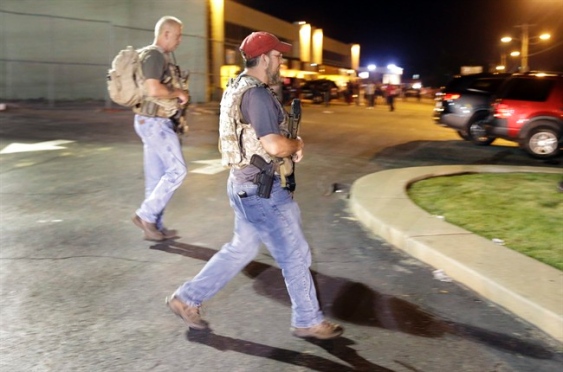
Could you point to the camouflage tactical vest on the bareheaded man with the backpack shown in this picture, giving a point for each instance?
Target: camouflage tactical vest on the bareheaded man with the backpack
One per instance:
(160, 107)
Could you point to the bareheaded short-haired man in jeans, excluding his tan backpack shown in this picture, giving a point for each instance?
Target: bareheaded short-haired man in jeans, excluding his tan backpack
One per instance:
(163, 96)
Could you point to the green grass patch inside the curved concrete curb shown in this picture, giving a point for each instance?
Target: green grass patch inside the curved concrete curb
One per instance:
(525, 210)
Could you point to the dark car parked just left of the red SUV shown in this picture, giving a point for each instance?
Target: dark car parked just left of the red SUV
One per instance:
(465, 101)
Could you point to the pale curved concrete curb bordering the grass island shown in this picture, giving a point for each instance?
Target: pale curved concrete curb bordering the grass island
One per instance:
(524, 286)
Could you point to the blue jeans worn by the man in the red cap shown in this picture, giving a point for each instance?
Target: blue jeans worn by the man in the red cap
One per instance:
(276, 222)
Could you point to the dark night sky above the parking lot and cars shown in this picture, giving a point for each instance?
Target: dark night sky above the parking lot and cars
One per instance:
(432, 38)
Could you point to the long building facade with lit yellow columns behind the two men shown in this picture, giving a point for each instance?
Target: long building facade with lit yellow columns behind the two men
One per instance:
(61, 50)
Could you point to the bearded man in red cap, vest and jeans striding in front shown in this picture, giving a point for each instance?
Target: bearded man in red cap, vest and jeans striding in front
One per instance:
(253, 124)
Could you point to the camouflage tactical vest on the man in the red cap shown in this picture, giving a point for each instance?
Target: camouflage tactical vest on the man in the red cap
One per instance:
(237, 139)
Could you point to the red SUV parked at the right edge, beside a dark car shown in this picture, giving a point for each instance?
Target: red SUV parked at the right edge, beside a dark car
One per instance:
(528, 109)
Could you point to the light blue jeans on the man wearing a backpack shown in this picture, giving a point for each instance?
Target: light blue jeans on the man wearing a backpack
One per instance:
(164, 165)
